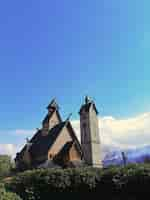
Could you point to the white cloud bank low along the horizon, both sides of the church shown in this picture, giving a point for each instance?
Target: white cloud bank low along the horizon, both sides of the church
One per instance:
(123, 134)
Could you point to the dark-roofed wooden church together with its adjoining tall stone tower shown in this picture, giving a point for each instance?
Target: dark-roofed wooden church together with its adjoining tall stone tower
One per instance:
(56, 143)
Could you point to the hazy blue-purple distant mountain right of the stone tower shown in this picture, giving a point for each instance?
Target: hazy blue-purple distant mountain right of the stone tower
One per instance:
(112, 156)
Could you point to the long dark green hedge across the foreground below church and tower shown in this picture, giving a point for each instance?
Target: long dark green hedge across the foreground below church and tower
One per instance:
(130, 182)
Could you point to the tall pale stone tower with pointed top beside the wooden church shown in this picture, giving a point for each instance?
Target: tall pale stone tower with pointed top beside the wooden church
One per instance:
(90, 141)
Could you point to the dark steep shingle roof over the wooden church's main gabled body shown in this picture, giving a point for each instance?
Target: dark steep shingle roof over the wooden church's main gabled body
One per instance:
(41, 144)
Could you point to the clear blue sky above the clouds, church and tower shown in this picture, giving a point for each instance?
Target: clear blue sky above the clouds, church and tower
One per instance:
(67, 49)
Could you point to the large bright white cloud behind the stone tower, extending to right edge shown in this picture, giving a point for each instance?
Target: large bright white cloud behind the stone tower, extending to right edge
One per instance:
(123, 133)
